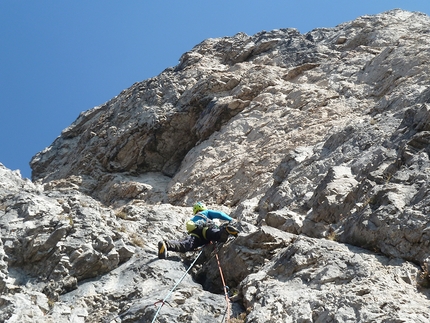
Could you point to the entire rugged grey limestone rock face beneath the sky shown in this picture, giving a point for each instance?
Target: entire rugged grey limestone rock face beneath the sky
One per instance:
(317, 145)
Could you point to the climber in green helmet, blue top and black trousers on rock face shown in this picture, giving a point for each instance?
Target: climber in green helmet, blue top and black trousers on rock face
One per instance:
(201, 230)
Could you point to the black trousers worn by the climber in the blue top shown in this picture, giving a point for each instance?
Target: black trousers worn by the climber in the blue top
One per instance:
(194, 240)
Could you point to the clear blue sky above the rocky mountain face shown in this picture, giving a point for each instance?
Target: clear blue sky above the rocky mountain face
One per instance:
(59, 58)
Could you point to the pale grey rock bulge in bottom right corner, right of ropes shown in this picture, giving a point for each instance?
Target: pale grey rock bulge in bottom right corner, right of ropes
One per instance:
(302, 283)
